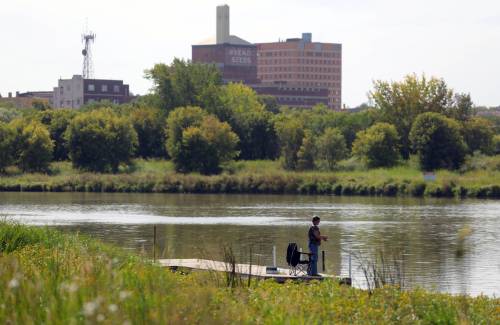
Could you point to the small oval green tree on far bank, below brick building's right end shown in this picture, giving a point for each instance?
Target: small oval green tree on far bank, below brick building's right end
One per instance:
(331, 147)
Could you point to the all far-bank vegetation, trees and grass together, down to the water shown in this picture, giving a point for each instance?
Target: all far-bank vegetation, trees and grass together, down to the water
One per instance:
(212, 132)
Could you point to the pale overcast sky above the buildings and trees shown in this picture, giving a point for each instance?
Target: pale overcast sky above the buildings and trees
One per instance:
(386, 39)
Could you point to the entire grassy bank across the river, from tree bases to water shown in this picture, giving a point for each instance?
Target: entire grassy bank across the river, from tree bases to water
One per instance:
(481, 180)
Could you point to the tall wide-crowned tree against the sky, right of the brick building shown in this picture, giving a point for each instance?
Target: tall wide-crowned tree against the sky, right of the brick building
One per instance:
(401, 102)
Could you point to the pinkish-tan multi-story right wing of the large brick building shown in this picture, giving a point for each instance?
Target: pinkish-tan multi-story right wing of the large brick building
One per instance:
(303, 63)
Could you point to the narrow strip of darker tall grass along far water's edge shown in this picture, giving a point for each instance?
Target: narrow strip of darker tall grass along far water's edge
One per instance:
(278, 184)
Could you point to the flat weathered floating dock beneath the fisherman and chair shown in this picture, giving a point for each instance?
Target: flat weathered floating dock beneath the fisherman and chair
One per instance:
(246, 270)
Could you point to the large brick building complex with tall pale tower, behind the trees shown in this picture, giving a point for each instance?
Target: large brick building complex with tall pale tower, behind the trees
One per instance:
(298, 72)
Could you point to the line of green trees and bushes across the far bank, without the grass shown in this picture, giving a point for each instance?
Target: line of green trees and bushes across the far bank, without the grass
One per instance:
(199, 123)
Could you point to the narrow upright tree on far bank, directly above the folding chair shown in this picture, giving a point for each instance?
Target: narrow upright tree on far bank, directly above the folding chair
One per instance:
(290, 134)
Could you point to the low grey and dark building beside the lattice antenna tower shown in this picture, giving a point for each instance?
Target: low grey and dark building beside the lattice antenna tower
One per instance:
(76, 92)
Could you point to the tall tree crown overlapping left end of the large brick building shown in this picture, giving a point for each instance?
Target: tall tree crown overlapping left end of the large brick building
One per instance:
(183, 83)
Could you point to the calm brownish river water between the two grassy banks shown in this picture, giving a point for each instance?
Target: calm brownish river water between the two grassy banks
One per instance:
(425, 232)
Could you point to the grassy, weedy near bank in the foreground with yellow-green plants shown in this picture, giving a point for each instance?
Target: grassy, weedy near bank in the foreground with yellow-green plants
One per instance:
(53, 278)
